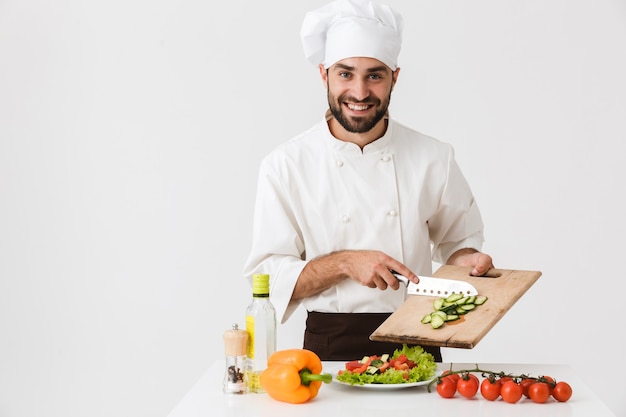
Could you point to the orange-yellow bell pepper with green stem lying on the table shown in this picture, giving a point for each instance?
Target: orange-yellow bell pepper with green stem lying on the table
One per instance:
(293, 376)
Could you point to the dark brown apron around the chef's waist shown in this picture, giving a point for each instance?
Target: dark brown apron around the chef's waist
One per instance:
(345, 336)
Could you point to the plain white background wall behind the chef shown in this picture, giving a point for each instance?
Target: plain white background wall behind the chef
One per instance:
(130, 137)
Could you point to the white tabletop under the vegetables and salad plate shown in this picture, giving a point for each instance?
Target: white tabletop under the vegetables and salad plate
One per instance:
(206, 398)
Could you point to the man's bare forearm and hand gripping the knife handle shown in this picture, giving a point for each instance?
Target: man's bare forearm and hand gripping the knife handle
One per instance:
(369, 268)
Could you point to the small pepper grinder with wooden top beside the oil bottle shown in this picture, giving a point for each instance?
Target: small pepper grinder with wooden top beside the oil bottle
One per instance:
(235, 344)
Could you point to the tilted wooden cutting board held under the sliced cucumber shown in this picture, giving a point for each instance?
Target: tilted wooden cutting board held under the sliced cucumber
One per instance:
(503, 287)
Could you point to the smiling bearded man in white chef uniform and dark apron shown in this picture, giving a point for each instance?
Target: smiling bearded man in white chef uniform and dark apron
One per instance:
(358, 195)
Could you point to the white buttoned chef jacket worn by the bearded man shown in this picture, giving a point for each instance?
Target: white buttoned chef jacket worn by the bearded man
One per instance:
(403, 194)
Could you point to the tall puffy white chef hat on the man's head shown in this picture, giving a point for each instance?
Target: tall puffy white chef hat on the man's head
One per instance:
(352, 28)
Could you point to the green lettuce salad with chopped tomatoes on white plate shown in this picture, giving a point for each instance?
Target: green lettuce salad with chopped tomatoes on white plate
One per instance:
(406, 365)
